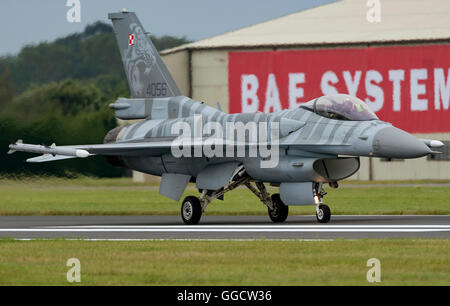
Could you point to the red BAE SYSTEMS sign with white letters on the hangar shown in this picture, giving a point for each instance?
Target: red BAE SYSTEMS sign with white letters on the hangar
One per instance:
(408, 86)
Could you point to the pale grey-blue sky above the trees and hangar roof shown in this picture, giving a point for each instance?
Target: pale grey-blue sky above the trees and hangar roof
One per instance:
(24, 22)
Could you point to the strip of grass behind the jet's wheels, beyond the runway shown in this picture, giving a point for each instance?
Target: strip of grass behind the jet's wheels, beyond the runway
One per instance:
(88, 196)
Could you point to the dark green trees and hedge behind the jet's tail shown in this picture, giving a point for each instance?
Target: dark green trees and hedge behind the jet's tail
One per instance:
(59, 92)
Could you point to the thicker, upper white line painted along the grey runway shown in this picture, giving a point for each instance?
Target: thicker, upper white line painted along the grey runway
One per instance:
(238, 228)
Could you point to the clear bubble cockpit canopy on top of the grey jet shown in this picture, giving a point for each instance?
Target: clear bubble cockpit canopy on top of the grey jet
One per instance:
(341, 107)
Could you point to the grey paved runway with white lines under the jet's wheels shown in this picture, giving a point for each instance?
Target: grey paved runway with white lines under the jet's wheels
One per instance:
(223, 227)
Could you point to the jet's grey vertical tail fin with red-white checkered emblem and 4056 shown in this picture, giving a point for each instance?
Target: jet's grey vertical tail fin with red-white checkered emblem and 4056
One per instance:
(147, 75)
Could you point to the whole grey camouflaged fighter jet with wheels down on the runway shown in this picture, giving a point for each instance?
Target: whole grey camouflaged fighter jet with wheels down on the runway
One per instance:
(183, 140)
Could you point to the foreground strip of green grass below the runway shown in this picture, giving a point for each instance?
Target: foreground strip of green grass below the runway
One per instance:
(338, 262)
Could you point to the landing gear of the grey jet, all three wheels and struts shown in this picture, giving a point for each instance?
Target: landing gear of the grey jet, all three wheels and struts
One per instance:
(192, 207)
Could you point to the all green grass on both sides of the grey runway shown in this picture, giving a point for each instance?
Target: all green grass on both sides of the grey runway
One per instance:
(259, 262)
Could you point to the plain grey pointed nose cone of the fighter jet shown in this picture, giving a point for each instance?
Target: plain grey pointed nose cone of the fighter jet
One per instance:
(391, 142)
